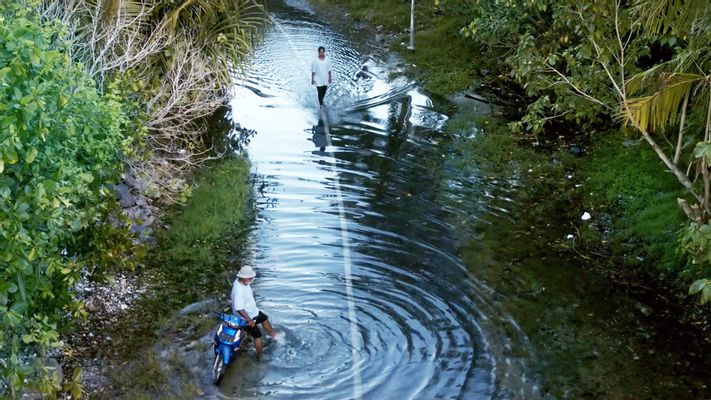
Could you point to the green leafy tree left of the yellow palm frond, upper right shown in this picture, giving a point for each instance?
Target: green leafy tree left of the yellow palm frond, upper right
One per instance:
(546, 48)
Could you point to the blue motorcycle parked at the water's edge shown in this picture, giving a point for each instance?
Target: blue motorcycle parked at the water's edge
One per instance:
(228, 339)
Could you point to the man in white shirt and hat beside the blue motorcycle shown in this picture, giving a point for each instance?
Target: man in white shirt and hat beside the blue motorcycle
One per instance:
(244, 305)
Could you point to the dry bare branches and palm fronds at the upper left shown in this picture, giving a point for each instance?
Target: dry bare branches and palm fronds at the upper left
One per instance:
(178, 56)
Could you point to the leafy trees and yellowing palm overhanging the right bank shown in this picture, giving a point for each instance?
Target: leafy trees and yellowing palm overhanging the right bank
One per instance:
(592, 63)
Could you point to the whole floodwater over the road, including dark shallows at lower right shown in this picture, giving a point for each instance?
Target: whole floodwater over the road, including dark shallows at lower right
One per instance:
(361, 269)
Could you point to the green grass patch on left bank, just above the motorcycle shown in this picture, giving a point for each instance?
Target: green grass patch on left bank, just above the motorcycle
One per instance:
(199, 241)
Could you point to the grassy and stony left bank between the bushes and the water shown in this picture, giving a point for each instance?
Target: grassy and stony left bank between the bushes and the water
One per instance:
(197, 246)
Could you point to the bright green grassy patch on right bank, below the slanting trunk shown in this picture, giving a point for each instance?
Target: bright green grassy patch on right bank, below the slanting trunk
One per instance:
(625, 181)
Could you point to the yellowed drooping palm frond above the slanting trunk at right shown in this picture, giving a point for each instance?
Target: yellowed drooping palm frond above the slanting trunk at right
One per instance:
(662, 108)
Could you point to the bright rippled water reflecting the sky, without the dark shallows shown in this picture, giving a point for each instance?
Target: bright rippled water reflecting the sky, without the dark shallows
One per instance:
(379, 199)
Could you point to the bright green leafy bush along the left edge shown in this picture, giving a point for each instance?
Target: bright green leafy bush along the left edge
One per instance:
(60, 144)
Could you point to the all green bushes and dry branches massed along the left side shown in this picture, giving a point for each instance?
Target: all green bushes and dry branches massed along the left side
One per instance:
(94, 93)
